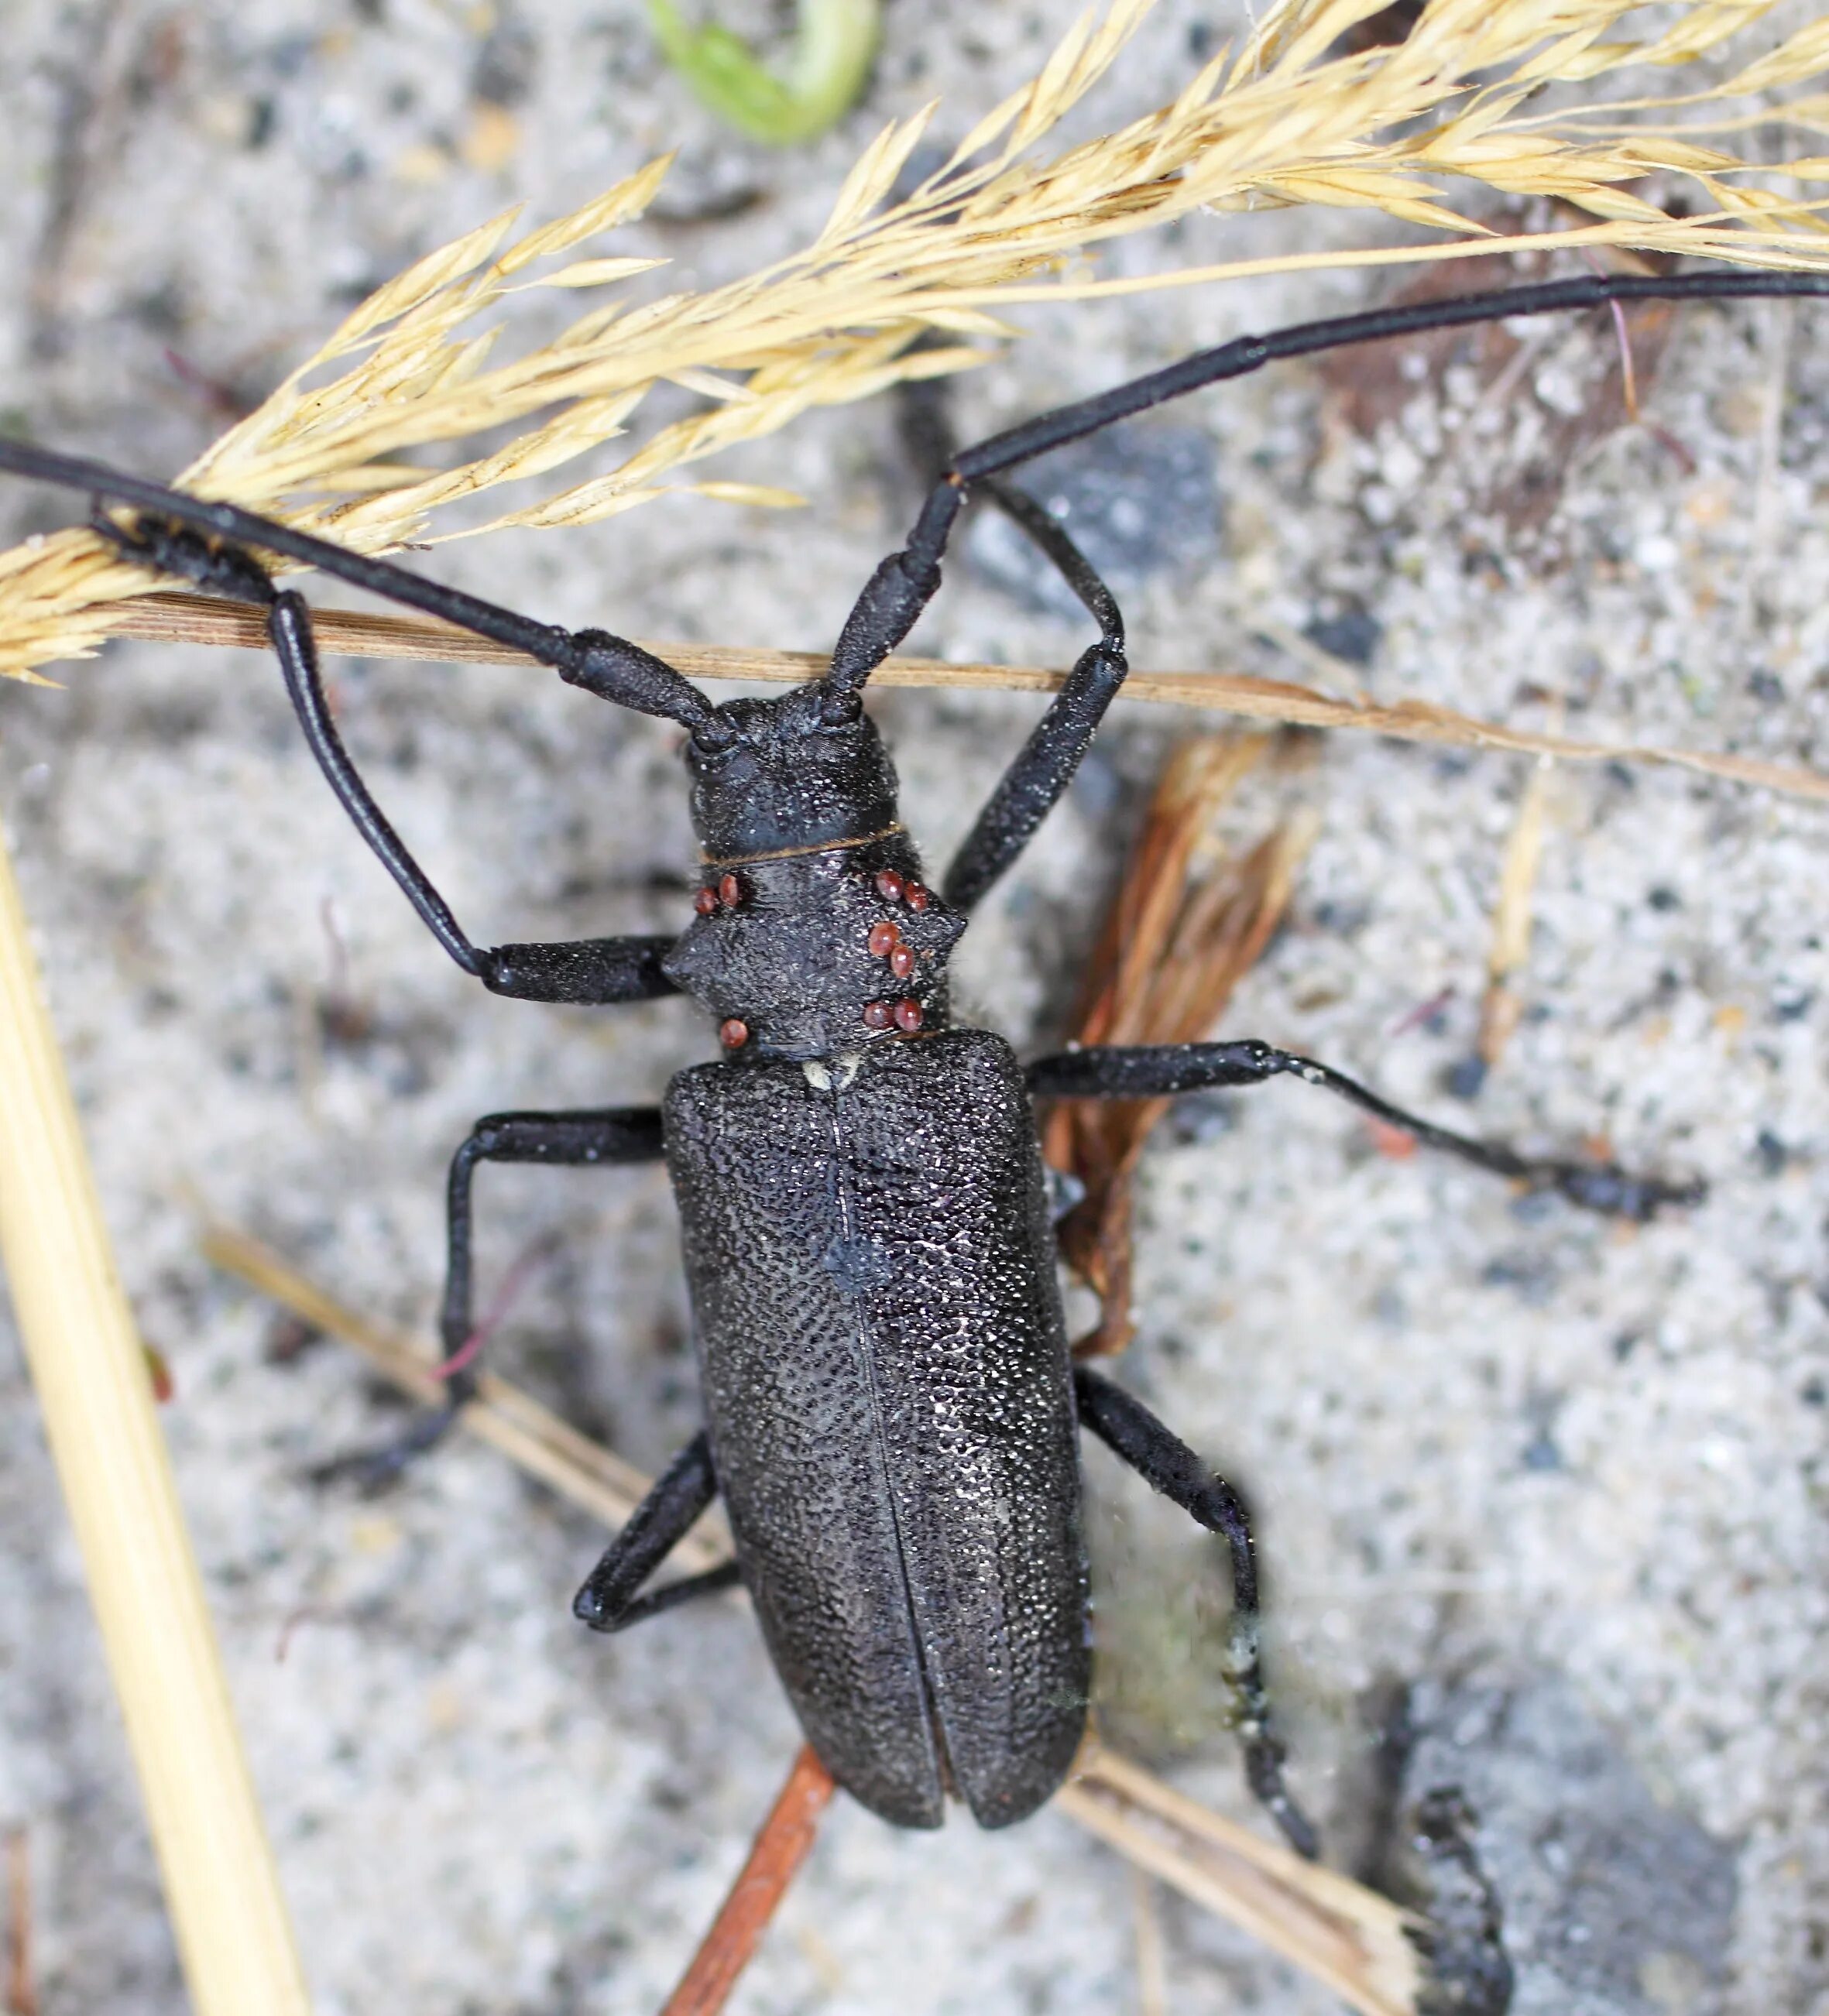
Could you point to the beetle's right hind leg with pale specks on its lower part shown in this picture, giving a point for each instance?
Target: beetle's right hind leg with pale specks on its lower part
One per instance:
(1167, 1465)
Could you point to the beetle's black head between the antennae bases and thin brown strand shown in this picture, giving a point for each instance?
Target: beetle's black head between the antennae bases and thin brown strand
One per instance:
(802, 771)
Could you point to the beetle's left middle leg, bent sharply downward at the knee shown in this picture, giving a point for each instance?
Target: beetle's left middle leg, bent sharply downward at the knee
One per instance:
(574, 1140)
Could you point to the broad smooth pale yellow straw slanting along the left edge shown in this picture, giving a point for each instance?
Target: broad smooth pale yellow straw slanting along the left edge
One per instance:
(98, 1400)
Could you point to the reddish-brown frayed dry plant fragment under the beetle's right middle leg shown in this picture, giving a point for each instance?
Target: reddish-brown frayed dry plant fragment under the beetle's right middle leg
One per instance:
(1189, 922)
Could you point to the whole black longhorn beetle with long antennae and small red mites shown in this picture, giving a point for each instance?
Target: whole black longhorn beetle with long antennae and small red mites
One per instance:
(890, 1406)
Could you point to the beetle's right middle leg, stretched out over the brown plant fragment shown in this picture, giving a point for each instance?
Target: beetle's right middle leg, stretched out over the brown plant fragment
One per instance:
(1159, 1072)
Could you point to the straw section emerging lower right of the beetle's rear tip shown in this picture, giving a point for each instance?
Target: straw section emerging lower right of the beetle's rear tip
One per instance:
(1342, 1934)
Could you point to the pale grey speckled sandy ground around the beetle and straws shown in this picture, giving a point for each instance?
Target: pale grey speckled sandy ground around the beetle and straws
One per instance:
(1582, 1465)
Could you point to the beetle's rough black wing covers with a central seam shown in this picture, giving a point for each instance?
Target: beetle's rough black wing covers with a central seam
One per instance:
(890, 1408)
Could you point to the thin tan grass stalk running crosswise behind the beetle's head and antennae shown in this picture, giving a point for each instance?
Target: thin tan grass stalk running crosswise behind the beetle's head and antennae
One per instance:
(195, 620)
